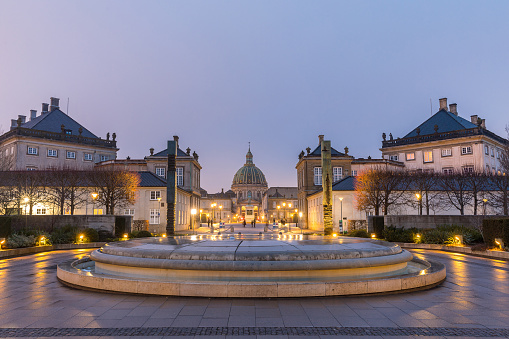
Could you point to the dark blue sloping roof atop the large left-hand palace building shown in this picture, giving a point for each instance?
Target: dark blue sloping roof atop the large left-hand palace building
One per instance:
(53, 121)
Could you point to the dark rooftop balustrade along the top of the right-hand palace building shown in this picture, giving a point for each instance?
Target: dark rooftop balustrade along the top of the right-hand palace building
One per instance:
(442, 136)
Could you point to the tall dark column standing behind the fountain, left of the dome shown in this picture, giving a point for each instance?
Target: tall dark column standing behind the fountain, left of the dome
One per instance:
(171, 188)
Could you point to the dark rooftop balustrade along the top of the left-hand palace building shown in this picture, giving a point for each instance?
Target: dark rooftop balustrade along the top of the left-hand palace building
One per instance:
(78, 139)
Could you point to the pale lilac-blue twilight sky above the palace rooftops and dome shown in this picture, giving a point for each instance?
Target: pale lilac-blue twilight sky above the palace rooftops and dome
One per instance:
(276, 73)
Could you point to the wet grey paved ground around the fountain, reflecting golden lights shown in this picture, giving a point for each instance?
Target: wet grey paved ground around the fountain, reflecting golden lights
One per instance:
(474, 301)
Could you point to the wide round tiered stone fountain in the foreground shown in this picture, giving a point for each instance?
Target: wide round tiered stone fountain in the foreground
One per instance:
(252, 266)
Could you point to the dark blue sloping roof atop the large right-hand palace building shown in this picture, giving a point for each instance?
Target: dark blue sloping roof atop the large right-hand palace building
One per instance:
(446, 122)
